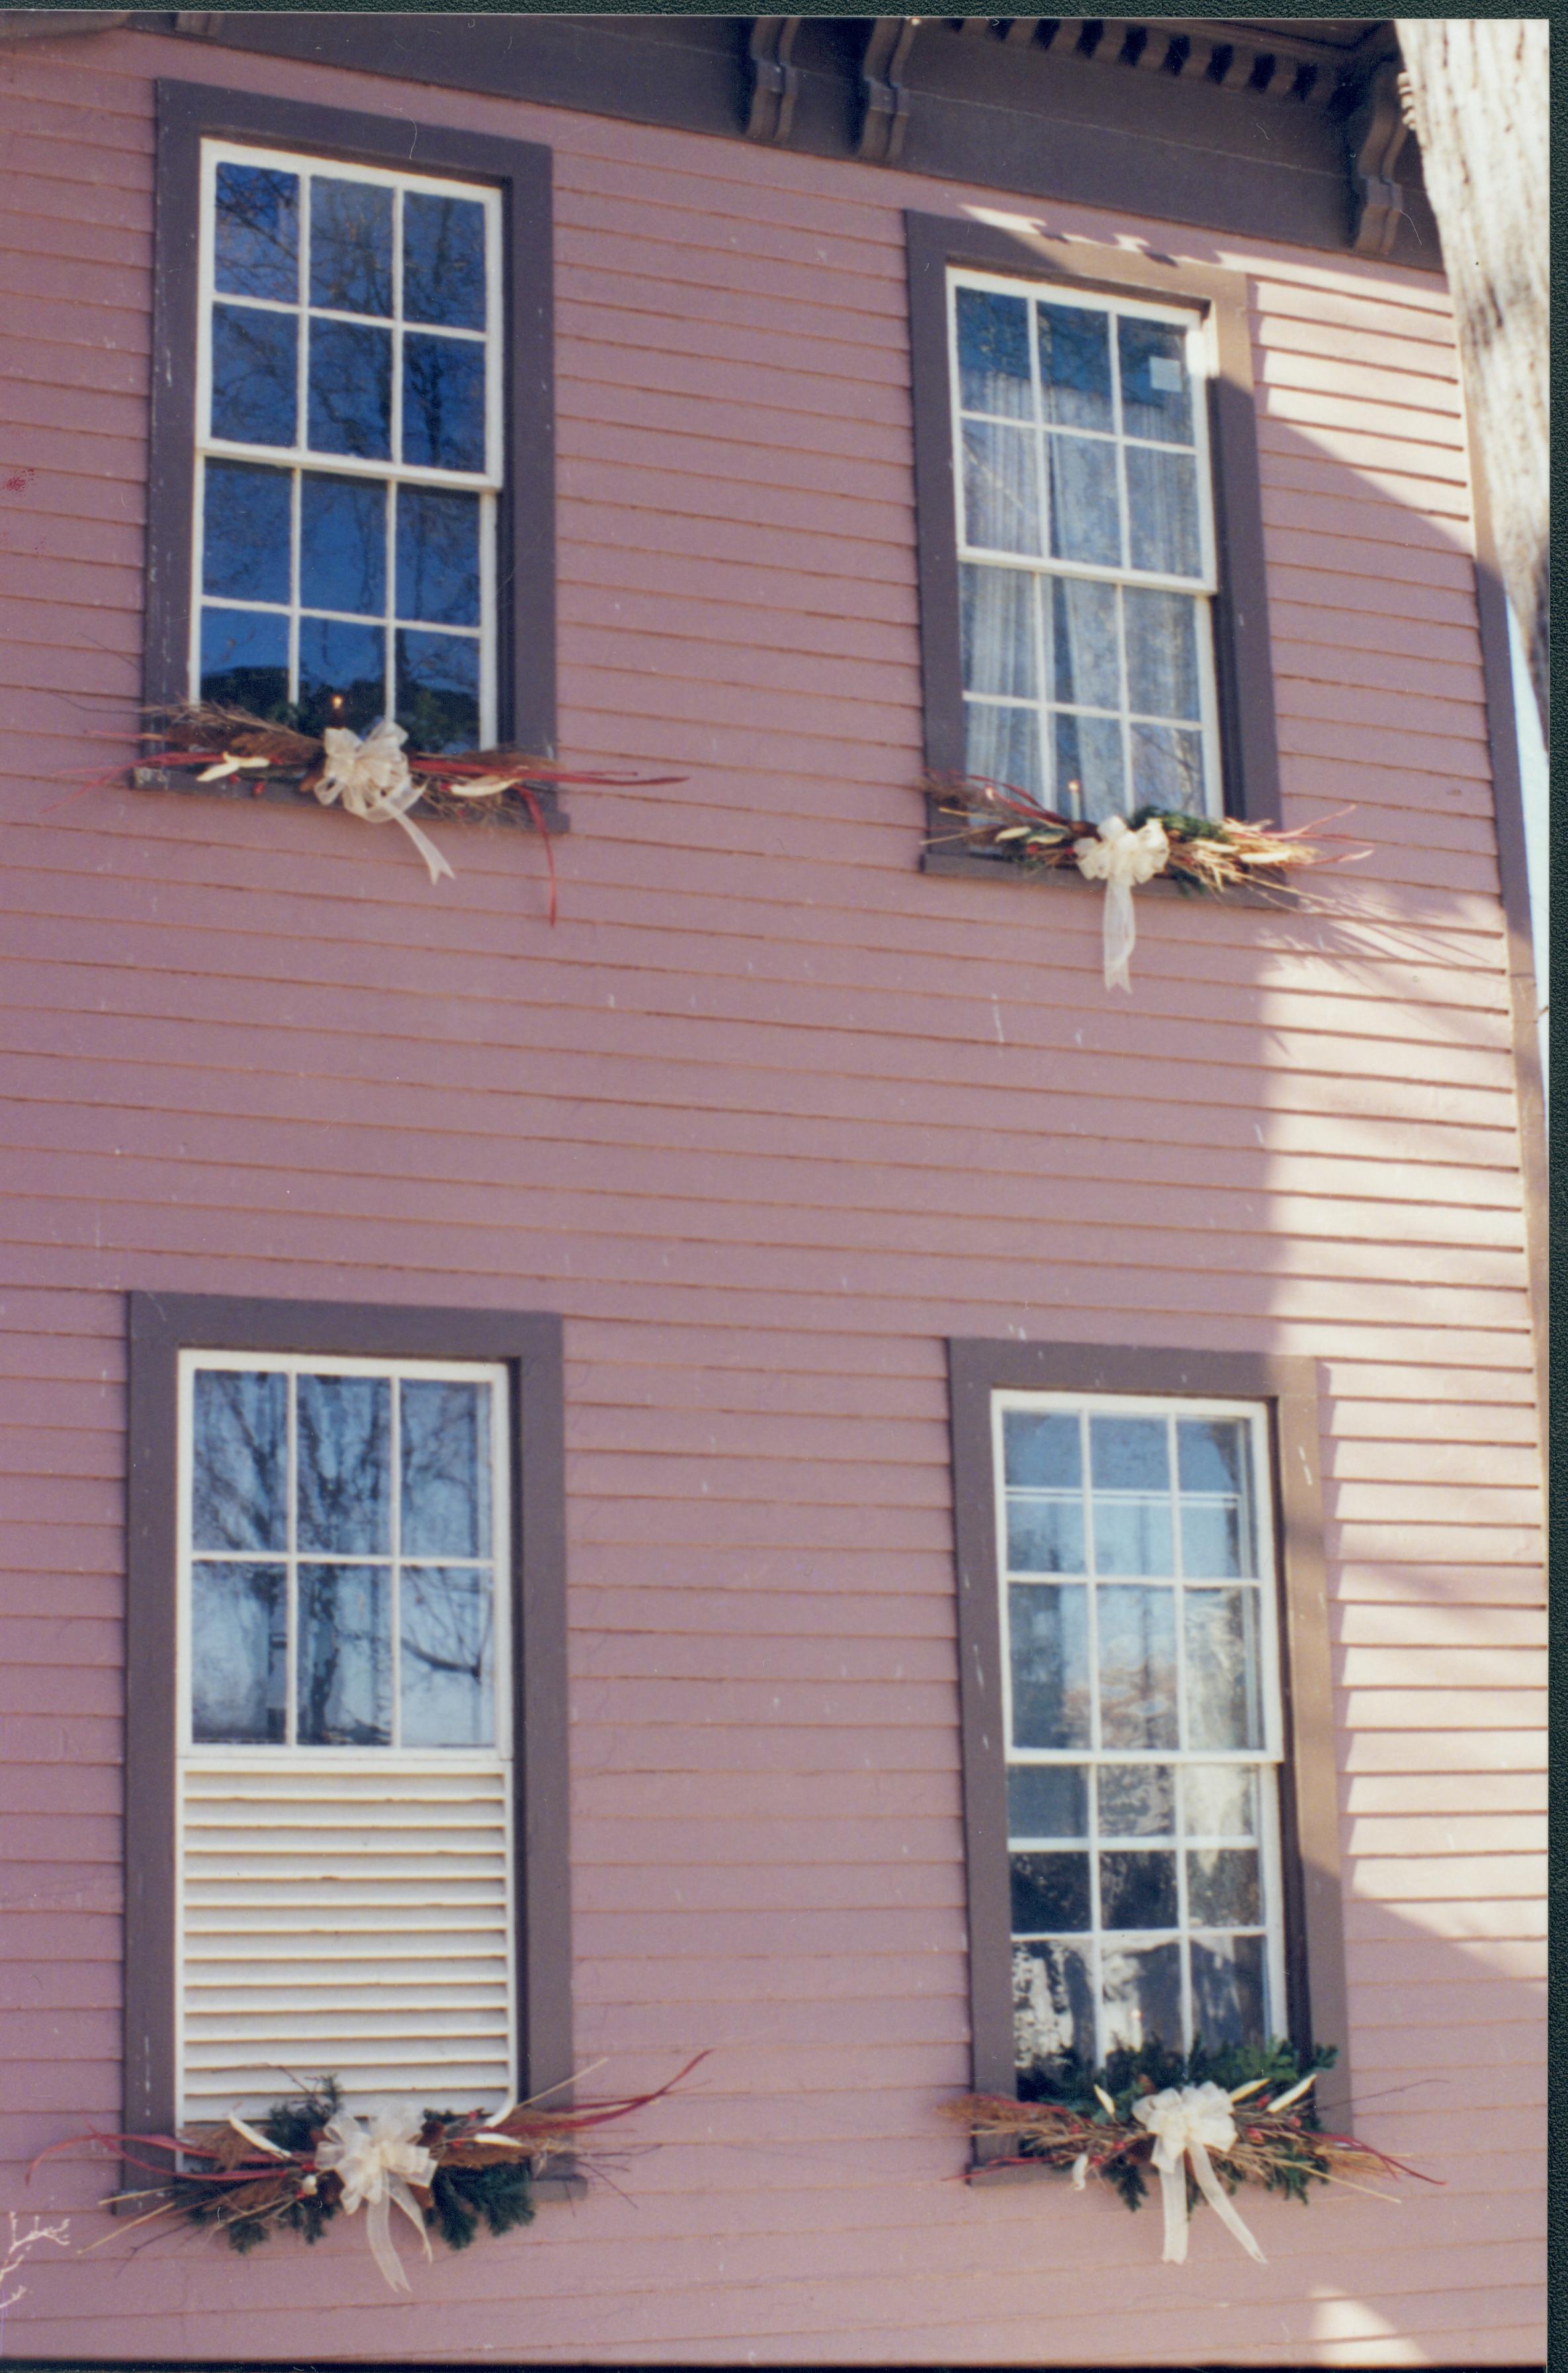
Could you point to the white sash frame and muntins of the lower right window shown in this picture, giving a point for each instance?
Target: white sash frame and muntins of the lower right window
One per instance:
(1268, 1757)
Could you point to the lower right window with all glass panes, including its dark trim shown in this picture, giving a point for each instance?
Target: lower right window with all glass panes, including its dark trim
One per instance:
(1149, 1779)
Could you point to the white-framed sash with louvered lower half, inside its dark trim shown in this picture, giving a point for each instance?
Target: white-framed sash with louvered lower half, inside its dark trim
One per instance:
(340, 1909)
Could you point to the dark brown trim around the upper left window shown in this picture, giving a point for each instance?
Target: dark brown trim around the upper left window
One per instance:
(525, 542)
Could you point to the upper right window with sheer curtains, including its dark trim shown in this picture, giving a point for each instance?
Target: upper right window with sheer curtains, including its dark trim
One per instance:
(1090, 528)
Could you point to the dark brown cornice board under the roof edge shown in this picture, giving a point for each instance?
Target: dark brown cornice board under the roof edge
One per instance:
(990, 113)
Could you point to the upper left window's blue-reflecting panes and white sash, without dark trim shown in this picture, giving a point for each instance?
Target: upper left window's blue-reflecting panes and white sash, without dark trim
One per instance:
(350, 445)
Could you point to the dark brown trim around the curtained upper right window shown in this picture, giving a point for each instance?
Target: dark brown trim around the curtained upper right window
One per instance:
(1242, 611)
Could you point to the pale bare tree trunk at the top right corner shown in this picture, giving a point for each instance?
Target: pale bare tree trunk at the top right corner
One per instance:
(1477, 98)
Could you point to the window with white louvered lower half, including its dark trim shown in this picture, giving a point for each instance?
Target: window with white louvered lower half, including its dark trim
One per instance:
(345, 1705)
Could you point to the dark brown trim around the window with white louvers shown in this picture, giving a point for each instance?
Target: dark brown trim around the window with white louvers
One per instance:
(162, 1325)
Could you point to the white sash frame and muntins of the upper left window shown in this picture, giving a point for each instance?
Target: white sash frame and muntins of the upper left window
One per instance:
(298, 459)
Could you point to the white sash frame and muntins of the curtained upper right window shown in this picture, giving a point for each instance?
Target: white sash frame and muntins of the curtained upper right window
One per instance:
(1202, 367)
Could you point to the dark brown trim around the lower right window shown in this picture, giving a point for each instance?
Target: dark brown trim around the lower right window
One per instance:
(1311, 1831)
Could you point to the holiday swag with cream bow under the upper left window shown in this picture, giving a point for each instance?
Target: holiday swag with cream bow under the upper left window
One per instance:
(371, 775)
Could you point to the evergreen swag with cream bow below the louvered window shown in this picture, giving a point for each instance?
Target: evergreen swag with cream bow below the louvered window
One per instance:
(312, 2158)
